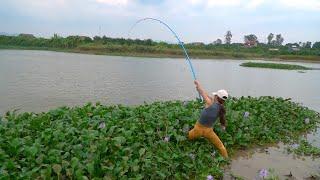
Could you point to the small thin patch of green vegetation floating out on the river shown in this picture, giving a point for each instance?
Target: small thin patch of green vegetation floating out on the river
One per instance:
(275, 66)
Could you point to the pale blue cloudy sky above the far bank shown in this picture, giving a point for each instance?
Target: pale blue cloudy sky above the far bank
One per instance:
(193, 20)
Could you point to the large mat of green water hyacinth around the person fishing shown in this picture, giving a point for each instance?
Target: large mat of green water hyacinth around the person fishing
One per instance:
(143, 142)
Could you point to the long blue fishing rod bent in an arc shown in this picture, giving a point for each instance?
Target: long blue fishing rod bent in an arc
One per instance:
(179, 41)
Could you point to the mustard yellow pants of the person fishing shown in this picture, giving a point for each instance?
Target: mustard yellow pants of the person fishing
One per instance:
(202, 131)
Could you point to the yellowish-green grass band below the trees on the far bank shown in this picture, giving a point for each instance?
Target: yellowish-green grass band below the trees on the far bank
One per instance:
(169, 53)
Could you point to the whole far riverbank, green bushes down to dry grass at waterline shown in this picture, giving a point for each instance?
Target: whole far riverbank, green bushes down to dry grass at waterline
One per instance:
(148, 48)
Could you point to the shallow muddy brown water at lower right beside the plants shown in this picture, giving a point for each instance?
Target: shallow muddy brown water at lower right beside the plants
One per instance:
(247, 164)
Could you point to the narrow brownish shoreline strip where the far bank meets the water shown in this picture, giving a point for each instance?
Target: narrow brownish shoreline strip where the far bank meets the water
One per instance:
(163, 55)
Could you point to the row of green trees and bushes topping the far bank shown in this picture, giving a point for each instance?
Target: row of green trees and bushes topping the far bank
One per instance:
(70, 42)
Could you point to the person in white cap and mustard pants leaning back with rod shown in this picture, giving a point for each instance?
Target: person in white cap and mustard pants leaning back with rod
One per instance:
(214, 108)
